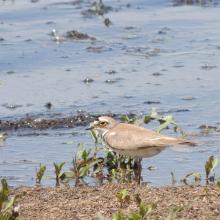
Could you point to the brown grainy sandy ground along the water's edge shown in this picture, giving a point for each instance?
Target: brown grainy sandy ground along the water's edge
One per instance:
(86, 202)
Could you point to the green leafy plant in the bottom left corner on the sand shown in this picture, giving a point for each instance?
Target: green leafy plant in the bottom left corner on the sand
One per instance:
(8, 211)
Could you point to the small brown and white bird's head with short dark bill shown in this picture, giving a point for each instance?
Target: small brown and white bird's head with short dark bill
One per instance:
(103, 124)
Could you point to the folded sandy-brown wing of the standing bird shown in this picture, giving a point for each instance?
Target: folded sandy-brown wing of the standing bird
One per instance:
(130, 137)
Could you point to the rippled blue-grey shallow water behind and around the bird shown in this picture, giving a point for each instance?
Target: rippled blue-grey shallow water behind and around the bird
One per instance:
(152, 52)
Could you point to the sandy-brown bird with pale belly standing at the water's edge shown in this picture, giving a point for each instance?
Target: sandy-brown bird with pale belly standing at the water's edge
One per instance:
(132, 140)
